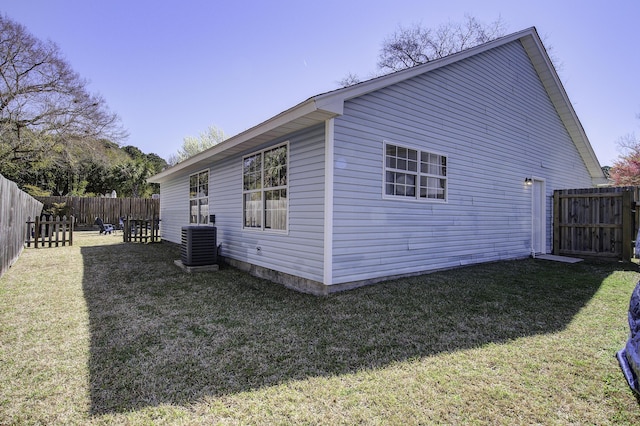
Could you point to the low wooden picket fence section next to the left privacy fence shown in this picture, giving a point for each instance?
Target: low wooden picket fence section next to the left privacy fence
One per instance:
(49, 231)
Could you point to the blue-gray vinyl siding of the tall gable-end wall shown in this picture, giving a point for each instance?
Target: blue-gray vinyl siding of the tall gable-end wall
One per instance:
(492, 118)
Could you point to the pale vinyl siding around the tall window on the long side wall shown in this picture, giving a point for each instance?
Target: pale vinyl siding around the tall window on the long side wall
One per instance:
(299, 251)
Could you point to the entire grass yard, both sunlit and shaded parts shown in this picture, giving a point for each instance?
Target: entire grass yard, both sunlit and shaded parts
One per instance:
(111, 333)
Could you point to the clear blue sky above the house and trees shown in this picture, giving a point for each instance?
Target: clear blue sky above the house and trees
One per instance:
(172, 68)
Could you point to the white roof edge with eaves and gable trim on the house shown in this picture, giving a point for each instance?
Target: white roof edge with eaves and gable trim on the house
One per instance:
(319, 108)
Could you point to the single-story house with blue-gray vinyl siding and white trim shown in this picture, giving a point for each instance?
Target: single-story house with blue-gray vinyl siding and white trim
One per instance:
(449, 163)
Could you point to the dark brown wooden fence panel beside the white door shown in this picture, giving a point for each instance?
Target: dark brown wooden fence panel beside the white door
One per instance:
(595, 222)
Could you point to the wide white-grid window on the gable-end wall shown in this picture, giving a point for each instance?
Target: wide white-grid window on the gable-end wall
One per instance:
(414, 174)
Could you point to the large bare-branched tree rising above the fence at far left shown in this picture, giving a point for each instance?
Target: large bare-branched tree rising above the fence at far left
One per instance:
(43, 102)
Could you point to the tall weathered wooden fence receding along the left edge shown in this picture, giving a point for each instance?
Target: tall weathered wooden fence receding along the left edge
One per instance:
(15, 207)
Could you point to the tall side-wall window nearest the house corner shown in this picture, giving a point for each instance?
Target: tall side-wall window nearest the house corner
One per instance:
(265, 189)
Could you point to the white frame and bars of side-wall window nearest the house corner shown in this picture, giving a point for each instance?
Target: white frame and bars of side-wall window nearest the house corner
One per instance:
(260, 193)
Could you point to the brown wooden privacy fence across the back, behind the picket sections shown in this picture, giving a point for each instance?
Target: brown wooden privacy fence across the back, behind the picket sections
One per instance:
(110, 210)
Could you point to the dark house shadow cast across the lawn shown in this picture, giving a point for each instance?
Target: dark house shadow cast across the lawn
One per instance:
(159, 335)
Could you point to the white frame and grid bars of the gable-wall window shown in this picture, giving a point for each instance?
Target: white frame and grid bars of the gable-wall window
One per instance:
(418, 175)
